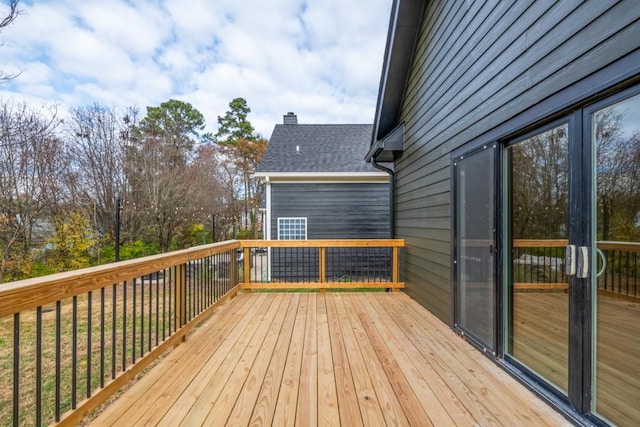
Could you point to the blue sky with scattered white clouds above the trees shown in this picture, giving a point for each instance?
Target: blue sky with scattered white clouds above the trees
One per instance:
(319, 58)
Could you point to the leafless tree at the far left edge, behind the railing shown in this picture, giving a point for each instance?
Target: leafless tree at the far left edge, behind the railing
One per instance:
(32, 170)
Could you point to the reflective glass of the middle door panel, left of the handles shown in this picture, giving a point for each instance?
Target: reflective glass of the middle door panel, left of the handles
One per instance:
(537, 195)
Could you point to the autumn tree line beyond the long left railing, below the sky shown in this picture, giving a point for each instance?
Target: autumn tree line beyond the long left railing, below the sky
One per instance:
(63, 181)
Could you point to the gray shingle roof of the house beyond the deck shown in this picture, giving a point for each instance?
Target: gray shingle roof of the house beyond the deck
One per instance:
(322, 148)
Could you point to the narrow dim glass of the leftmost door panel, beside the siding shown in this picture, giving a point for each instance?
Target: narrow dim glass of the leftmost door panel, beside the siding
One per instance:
(475, 249)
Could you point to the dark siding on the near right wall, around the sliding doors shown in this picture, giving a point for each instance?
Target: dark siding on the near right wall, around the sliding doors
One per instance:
(477, 65)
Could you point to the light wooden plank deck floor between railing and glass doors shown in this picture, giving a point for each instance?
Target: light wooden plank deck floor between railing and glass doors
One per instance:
(326, 359)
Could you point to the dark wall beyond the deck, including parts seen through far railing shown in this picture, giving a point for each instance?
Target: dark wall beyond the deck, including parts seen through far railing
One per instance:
(333, 211)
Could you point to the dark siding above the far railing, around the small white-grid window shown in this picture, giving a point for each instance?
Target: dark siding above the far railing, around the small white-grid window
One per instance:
(334, 211)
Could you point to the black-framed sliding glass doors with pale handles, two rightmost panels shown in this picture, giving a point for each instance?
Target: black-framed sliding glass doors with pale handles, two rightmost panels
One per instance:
(571, 257)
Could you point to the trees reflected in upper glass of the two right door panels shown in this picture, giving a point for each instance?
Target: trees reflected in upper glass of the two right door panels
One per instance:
(539, 176)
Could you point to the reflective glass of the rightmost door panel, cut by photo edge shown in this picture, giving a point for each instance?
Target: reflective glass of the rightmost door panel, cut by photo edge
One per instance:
(616, 260)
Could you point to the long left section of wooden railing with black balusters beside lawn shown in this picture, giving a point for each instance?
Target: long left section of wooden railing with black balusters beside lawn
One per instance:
(69, 341)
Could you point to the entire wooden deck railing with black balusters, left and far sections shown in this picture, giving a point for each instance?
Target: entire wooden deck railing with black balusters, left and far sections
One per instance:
(69, 341)
